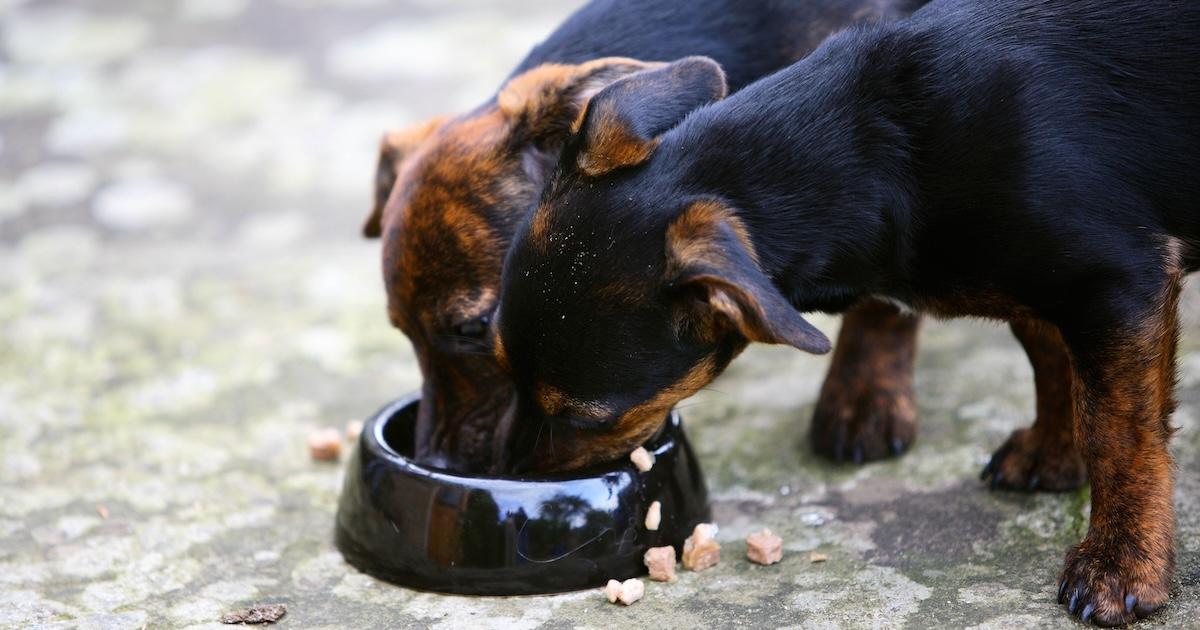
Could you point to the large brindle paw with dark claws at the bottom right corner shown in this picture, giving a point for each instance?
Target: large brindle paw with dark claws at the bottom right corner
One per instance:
(1099, 587)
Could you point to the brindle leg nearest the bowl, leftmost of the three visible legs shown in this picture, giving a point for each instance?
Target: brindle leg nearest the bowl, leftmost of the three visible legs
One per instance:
(867, 411)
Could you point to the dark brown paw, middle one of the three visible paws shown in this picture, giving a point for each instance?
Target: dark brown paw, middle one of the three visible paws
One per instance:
(1029, 463)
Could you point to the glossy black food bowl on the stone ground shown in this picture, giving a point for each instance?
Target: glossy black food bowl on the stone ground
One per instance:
(441, 531)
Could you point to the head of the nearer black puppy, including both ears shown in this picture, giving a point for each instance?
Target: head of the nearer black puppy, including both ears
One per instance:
(623, 293)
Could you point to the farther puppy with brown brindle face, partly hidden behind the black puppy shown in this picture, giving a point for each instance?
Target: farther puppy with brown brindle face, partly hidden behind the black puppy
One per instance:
(452, 191)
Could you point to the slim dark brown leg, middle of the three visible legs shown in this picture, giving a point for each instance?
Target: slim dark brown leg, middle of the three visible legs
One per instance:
(1045, 455)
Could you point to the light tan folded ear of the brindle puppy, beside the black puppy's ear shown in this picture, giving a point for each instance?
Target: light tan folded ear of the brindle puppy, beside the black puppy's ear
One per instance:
(548, 101)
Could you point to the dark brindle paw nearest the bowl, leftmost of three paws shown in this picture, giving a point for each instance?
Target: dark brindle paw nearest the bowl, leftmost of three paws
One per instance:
(863, 424)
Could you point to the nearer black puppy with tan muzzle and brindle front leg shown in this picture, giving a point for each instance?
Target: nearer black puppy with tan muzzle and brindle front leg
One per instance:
(1029, 161)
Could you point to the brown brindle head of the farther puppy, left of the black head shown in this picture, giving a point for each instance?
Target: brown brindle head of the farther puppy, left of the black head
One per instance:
(449, 194)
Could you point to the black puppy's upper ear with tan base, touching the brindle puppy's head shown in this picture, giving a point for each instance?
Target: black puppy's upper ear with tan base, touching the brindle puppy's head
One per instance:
(623, 122)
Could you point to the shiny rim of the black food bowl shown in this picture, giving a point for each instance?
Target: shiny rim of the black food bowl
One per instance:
(377, 445)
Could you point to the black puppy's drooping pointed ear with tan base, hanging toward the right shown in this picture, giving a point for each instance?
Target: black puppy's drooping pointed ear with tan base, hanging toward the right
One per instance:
(710, 251)
